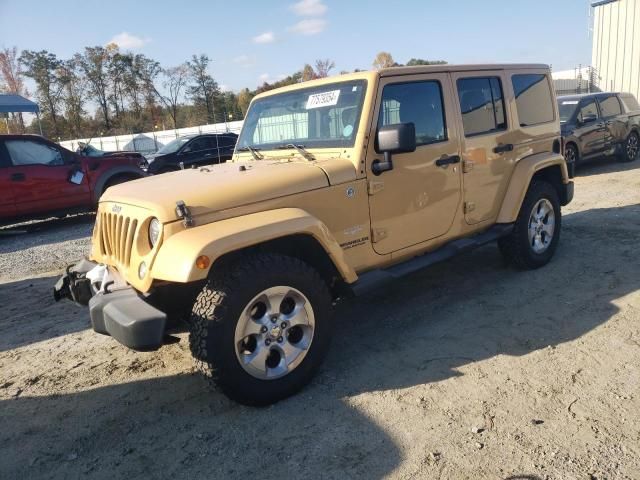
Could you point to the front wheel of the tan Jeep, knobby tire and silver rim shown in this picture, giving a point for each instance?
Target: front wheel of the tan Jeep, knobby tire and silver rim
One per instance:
(262, 325)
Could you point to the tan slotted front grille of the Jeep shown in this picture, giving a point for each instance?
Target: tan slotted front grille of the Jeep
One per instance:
(116, 236)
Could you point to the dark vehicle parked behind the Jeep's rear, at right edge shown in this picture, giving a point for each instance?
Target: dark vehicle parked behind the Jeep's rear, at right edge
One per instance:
(599, 124)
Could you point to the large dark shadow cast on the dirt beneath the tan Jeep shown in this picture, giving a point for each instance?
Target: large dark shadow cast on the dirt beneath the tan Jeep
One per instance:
(418, 331)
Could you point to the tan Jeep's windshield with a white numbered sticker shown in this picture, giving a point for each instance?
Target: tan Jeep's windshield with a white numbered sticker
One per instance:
(324, 117)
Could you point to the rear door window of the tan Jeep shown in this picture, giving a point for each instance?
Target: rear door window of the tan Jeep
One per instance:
(481, 104)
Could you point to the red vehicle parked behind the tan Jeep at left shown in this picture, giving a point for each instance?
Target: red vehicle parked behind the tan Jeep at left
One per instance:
(40, 178)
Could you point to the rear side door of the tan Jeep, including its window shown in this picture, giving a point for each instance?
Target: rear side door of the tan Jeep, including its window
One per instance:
(488, 143)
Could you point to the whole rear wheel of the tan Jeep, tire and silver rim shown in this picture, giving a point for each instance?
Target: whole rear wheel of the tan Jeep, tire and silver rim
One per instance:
(536, 232)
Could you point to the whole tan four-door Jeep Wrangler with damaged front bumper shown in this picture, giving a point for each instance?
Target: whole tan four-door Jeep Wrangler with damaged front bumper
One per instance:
(336, 186)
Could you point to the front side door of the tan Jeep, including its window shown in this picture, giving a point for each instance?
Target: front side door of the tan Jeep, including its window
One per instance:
(417, 200)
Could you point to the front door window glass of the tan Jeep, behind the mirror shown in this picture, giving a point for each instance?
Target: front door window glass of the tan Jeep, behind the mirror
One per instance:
(419, 103)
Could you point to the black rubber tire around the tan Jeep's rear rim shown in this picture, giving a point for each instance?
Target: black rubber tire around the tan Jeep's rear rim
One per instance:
(516, 247)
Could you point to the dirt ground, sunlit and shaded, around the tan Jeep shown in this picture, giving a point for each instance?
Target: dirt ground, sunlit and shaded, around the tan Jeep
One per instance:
(467, 370)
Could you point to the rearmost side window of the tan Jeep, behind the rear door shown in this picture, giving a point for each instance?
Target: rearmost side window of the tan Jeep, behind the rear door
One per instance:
(533, 99)
